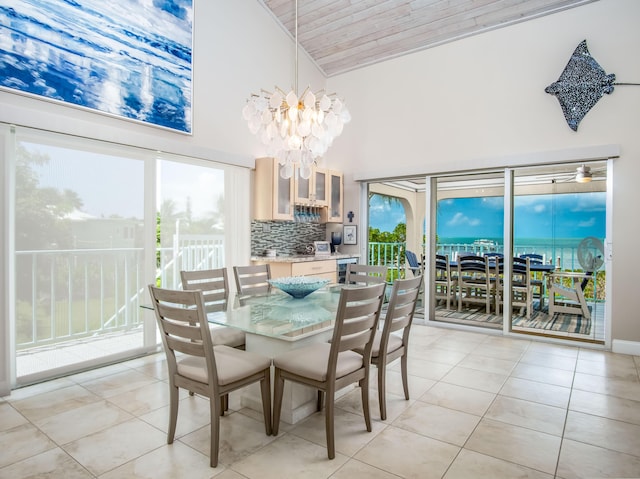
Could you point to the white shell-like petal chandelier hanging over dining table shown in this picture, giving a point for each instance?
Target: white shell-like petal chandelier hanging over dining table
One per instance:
(295, 129)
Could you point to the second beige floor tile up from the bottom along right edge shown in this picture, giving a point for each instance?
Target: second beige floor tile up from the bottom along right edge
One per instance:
(599, 431)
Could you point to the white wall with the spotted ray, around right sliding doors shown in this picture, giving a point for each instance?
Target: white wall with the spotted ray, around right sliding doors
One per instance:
(480, 101)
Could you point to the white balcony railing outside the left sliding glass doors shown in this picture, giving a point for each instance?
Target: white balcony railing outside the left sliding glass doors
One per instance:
(63, 295)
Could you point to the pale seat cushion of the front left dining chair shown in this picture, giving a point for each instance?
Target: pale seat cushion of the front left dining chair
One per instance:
(231, 364)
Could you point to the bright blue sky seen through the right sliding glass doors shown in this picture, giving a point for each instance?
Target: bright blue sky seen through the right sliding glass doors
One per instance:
(536, 216)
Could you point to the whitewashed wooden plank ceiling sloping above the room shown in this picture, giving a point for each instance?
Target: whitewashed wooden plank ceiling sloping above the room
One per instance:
(343, 35)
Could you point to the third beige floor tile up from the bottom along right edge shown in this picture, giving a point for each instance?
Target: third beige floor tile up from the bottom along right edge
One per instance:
(610, 407)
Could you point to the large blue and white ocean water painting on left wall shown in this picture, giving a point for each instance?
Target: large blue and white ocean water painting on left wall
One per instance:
(130, 58)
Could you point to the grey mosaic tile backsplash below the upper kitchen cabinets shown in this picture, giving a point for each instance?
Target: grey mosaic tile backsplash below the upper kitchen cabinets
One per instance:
(286, 237)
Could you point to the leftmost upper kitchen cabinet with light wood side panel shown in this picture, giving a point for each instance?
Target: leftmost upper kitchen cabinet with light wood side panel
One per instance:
(273, 195)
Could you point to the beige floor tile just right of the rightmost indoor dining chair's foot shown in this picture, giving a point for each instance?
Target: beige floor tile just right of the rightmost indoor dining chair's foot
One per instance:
(460, 398)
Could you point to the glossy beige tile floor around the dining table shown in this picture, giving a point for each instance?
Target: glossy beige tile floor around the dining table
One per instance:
(481, 406)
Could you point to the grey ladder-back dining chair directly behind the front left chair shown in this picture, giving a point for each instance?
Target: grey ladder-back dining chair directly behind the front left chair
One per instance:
(214, 284)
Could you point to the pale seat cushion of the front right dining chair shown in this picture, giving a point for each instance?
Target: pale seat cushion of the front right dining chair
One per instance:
(311, 362)
